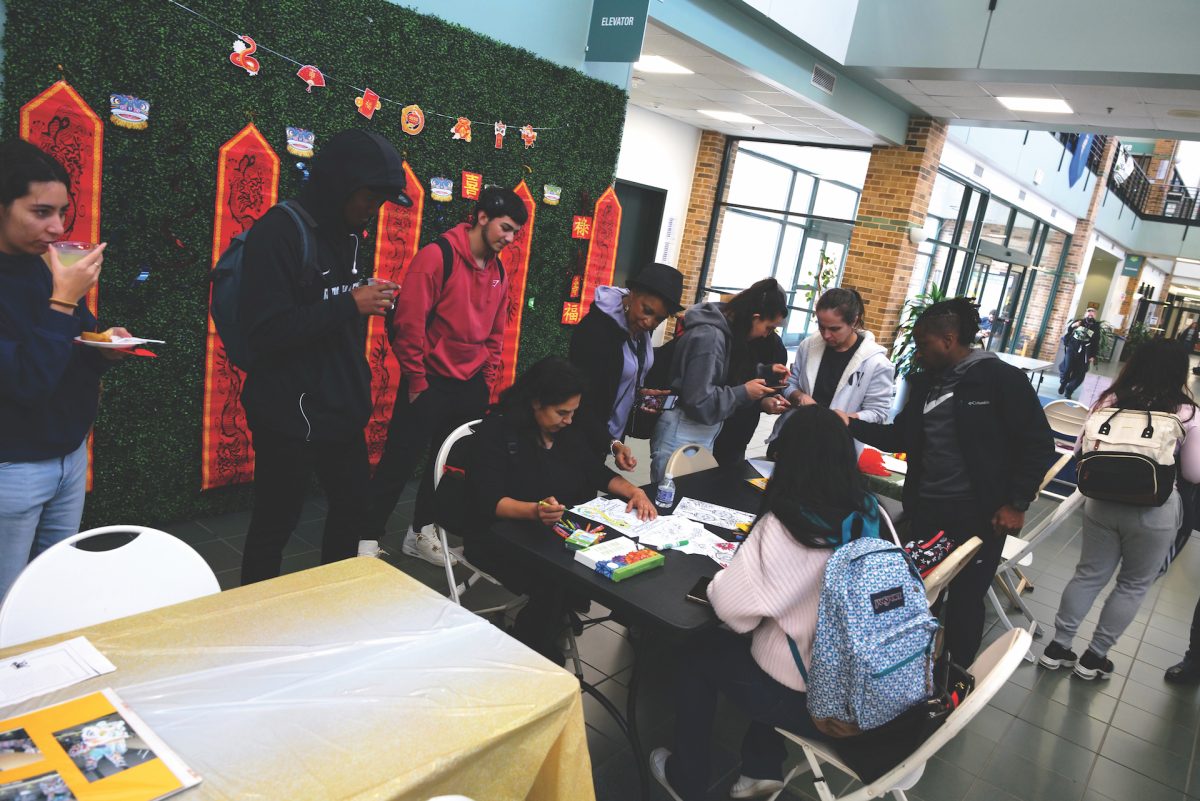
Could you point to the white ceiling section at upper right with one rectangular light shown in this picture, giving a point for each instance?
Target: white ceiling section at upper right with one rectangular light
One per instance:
(1109, 109)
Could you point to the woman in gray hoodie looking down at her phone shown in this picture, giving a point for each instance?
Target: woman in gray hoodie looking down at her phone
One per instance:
(712, 371)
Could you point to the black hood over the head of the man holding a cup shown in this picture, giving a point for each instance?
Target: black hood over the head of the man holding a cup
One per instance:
(350, 161)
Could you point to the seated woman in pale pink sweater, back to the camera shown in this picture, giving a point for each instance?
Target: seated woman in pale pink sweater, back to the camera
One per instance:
(771, 591)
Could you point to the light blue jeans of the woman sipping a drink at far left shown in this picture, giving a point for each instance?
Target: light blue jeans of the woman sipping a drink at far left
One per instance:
(41, 503)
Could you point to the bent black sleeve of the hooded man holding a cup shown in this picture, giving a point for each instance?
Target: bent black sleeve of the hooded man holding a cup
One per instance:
(269, 306)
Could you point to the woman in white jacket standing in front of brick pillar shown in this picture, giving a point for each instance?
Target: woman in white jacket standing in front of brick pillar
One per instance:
(844, 369)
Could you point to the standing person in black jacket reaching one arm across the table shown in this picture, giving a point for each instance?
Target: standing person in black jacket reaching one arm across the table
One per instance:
(979, 447)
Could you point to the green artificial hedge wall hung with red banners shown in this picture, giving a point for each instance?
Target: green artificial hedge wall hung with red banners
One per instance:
(159, 184)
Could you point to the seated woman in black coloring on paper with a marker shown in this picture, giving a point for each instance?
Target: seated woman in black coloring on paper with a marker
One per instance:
(531, 465)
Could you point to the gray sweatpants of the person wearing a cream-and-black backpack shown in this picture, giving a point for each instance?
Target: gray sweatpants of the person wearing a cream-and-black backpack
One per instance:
(1137, 539)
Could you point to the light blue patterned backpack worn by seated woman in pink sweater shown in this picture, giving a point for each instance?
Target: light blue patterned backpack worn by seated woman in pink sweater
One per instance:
(873, 655)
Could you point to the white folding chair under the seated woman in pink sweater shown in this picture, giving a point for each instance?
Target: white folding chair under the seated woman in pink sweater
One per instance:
(994, 667)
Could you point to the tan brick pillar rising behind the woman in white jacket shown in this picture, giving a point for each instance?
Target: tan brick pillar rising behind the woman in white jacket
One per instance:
(896, 198)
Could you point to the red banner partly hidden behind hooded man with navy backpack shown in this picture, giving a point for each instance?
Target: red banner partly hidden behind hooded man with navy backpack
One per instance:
(248, 185)
